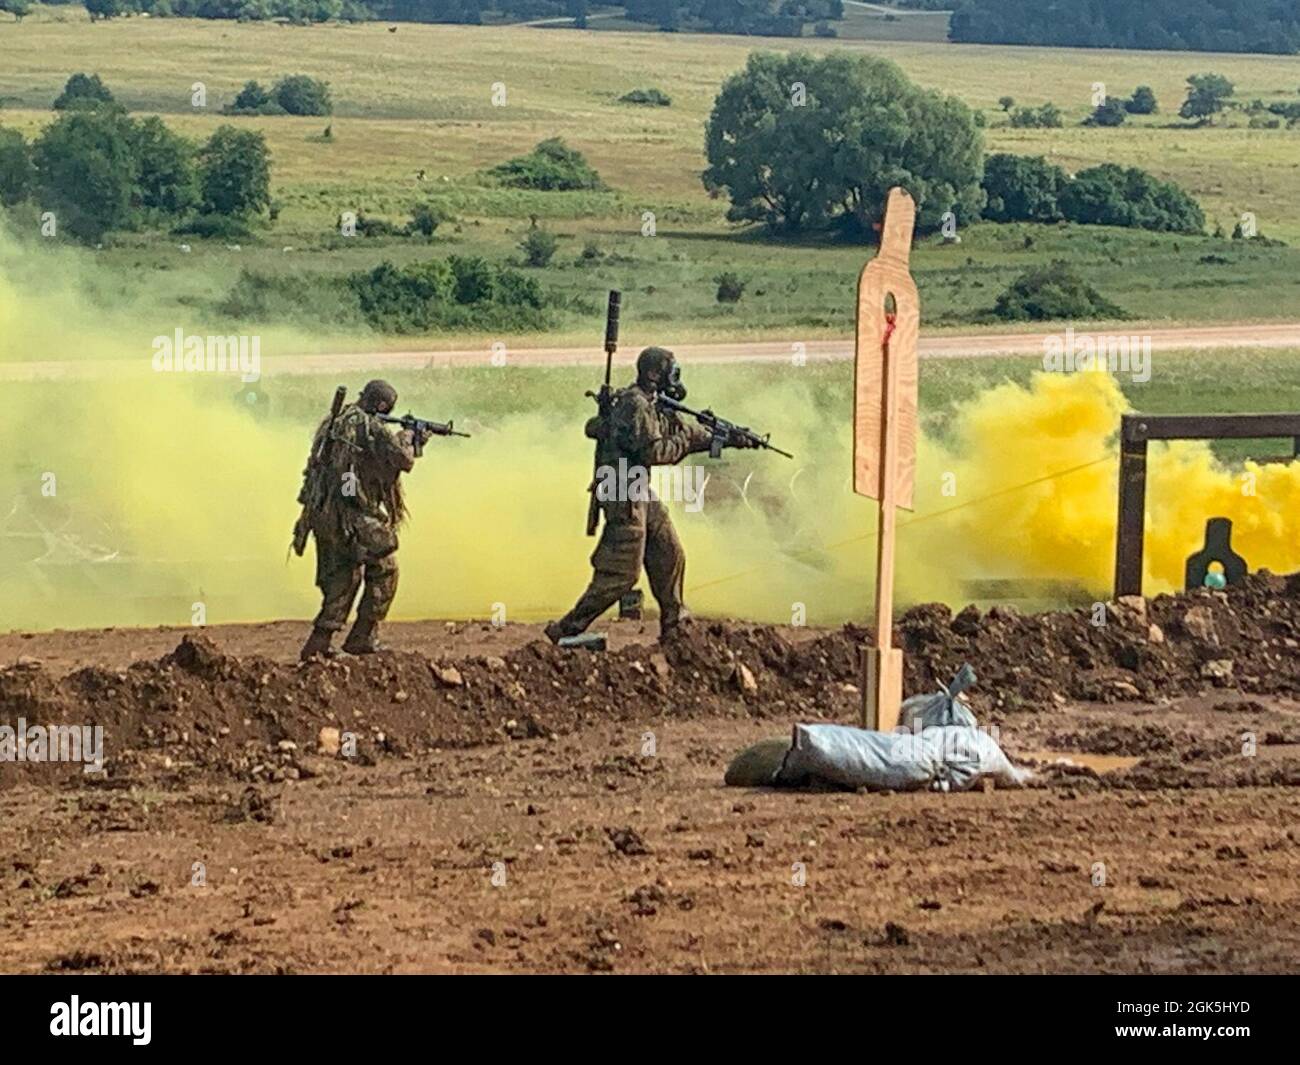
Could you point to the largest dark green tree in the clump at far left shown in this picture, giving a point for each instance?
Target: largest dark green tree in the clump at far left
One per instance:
(86, 171)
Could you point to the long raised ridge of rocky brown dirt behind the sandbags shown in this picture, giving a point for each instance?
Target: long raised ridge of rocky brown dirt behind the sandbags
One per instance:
(202, 709)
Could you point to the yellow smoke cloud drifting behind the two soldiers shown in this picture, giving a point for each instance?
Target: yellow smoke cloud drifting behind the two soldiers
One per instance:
(171, 504)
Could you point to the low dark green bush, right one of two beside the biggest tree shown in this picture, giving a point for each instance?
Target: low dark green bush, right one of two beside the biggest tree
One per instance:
(1117, 196)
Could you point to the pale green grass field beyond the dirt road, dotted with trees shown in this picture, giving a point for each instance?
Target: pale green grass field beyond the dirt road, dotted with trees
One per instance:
(421, 99)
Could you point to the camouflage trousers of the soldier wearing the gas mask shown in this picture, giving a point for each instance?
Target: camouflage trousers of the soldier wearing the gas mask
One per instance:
(635, 534)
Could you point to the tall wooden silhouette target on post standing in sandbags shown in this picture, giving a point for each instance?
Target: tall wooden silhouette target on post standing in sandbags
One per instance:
(885, 432)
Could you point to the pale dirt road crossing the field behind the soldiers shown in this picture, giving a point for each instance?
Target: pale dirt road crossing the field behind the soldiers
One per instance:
(935, 347)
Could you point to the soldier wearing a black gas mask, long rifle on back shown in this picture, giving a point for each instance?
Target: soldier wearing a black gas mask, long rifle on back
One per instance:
(638, 529)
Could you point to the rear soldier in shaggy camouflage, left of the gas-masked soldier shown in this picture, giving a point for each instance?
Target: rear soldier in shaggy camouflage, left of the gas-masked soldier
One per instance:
(353, 505)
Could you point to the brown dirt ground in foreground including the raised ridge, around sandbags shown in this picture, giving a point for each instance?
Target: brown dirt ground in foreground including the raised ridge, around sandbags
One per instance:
(502, 815)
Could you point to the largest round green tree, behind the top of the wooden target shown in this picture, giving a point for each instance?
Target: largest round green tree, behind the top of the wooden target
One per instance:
(803, 144)
